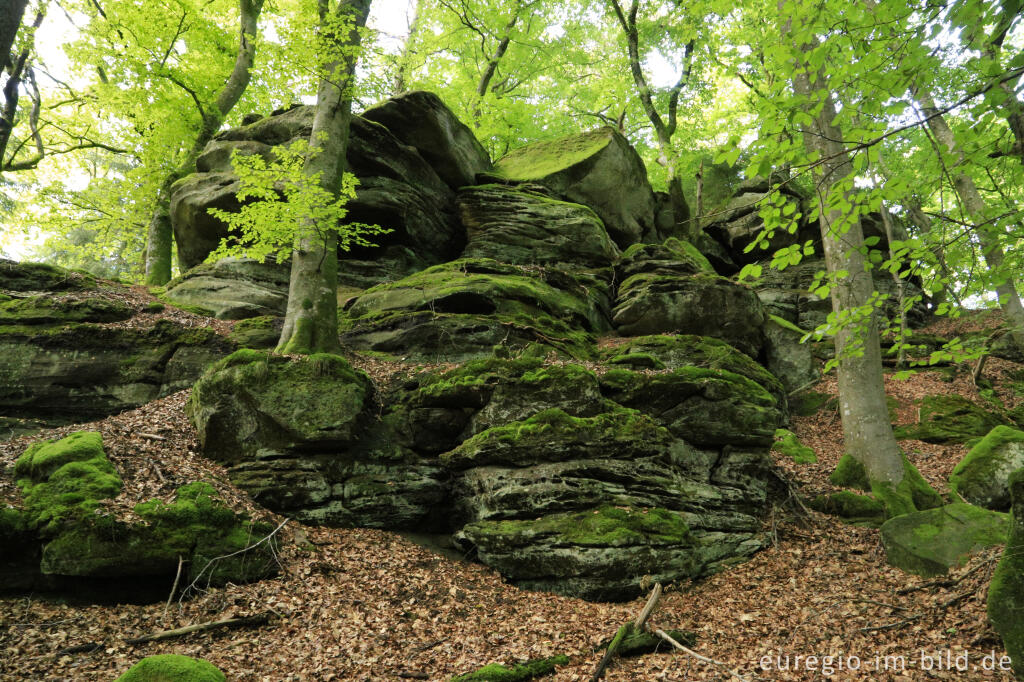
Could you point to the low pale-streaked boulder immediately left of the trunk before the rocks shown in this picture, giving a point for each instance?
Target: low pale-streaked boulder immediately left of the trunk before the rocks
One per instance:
(233, 289)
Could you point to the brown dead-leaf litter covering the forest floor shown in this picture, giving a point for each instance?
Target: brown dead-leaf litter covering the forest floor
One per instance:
(360, 605)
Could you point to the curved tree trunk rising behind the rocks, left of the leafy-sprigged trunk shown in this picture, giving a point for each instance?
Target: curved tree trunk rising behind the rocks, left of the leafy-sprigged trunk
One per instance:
(160, 238)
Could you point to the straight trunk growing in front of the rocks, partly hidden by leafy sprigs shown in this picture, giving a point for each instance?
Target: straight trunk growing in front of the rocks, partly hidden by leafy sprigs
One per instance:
(312, 319)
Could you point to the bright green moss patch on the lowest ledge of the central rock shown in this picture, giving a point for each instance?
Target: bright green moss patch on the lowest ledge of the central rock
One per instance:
(605, 527)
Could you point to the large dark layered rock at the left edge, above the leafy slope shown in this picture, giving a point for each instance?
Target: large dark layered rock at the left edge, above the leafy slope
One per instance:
(73, 356)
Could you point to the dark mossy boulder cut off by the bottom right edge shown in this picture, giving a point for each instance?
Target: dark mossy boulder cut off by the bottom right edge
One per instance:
(1006, 593)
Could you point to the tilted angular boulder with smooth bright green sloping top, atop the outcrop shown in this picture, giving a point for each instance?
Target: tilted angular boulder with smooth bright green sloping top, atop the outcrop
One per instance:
(599, 169)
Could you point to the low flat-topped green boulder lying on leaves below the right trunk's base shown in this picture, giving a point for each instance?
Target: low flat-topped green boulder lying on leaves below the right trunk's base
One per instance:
(932, 542)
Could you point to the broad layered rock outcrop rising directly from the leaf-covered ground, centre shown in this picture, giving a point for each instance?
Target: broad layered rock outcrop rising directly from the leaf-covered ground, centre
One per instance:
(562, 480)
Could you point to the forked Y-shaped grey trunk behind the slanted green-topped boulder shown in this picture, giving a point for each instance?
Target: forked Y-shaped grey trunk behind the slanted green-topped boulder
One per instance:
(664, 130)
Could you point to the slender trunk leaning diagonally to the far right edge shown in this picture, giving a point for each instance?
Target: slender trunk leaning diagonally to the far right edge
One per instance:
(974, 205)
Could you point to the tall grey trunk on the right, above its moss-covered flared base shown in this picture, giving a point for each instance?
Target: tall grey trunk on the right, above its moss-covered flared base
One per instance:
(868, 435)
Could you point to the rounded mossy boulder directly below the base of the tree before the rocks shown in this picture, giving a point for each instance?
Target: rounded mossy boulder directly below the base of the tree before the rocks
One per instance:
(253, 401)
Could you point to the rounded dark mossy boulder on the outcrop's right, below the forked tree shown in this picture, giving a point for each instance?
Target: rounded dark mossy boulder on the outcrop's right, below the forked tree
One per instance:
(701, 305)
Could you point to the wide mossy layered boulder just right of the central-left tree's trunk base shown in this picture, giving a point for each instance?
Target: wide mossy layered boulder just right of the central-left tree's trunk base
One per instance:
(464, 309)
